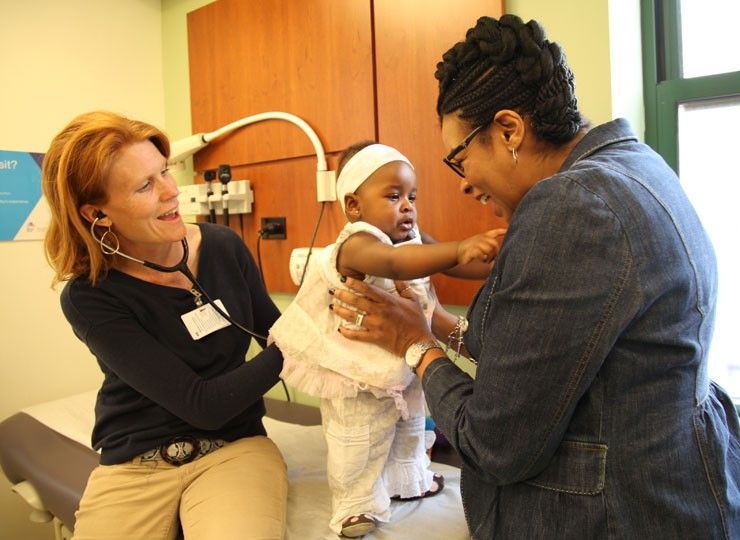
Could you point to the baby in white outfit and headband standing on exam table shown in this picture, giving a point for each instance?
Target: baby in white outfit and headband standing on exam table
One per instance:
(372, 405)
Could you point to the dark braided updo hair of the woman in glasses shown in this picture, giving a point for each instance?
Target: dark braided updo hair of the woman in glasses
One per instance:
(507, 64)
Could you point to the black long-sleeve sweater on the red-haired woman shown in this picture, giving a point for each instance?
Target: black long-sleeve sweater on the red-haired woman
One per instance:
(159, 382)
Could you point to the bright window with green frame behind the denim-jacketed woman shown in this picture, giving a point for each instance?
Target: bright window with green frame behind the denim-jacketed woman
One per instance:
(692, 113)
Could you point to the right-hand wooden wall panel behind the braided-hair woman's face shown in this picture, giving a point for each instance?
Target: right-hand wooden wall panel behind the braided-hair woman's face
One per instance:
(410, 38)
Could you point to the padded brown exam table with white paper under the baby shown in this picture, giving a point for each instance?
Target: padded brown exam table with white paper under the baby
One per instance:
(45, 453)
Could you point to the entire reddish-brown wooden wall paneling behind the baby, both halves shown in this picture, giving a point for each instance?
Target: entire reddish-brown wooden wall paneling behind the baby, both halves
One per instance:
(352, 69)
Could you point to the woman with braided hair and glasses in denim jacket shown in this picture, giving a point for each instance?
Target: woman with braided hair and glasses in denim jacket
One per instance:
(591, 414)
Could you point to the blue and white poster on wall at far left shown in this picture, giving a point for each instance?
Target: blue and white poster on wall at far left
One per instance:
(24, 214)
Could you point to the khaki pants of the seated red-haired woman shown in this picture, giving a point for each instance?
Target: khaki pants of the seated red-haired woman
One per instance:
(236, 492)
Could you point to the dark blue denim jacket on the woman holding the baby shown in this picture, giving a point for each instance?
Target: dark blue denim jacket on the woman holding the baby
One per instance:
(591, 414)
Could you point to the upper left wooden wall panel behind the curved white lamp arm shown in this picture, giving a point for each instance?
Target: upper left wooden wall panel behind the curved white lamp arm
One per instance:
(310, 58)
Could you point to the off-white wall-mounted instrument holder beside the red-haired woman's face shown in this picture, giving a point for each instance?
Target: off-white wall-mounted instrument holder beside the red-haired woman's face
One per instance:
(196, 201)
